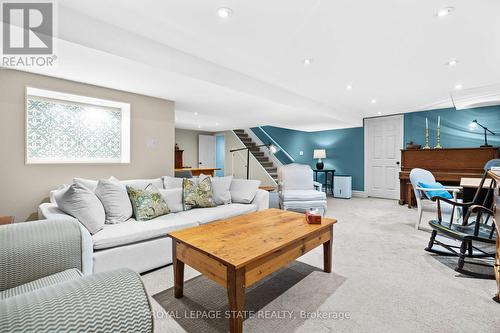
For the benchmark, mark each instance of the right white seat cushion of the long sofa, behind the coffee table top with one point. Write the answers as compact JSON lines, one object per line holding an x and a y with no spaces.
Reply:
{"x":206,"y":215}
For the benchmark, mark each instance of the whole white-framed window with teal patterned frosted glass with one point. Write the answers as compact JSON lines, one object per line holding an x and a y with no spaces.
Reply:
{"x":64,"y":128}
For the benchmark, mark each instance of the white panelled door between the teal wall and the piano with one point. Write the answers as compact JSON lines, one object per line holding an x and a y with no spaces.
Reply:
{"x":383,"y":144}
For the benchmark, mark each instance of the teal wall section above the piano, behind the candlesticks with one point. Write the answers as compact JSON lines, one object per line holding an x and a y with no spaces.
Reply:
{"x":455,"y":131}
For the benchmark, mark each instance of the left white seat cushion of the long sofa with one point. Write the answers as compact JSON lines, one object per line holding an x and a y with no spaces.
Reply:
{"x":133,"y":231}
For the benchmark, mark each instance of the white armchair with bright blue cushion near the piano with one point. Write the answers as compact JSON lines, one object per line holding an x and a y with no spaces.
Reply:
{"x":423,"y":203}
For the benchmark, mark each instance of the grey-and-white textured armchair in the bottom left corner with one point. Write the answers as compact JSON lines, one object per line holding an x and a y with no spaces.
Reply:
{"x":42,"y":288}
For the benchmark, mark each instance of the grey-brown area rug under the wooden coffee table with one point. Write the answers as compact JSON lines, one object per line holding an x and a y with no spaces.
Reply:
{"x":279,"y":303}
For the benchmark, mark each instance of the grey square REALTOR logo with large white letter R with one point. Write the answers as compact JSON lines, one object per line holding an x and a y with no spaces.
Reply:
{"x":28,"y":29}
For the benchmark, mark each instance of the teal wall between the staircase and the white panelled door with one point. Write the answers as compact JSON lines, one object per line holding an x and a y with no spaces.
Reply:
{"x":344,"y":149}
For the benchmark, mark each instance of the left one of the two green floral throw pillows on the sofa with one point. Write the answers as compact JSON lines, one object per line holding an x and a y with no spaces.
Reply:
{"x":147,"y":203}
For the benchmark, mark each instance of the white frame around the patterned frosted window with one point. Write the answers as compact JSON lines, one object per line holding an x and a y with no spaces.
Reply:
{"x":71,"y":98}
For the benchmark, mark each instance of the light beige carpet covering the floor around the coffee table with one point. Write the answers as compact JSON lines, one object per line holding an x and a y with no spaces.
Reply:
{"x":382,"y":281}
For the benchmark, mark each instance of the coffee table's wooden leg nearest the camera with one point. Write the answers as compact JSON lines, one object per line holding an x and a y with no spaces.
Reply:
{"x":236,"y":295}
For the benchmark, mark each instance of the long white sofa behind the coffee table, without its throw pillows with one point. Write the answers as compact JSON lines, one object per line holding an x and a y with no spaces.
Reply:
{"x":144,"y":245}
